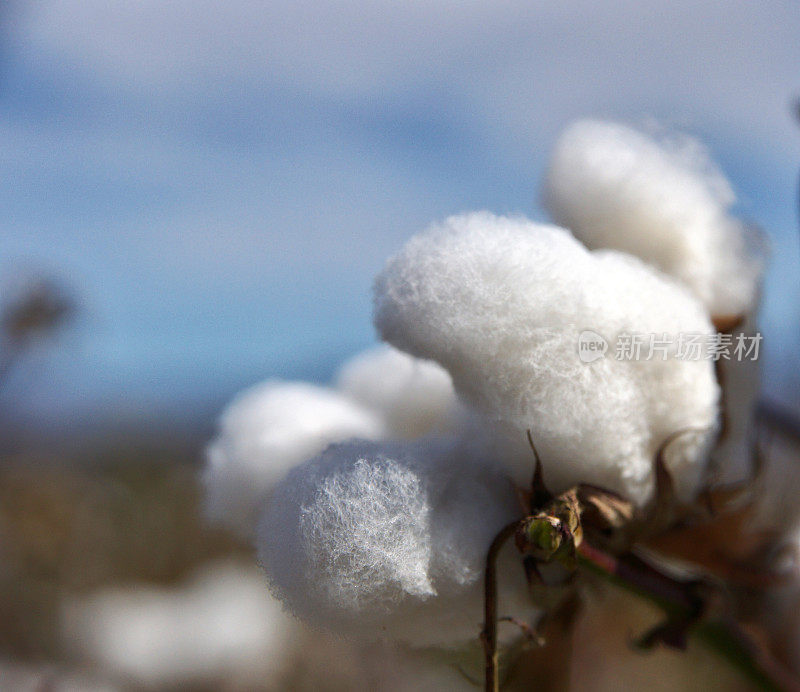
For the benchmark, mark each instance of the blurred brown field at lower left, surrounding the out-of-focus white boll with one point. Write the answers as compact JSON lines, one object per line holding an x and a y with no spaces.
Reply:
{"x":128,"y":516}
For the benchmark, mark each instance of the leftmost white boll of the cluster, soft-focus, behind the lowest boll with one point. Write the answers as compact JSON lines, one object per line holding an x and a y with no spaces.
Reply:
{"x":266,"y":431}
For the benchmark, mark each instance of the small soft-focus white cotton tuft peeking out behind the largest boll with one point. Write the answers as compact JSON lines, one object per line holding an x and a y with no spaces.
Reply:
{"x":414,"y":397}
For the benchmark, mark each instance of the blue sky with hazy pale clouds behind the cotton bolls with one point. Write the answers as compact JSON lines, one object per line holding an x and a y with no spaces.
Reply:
{"x":220,"y":183}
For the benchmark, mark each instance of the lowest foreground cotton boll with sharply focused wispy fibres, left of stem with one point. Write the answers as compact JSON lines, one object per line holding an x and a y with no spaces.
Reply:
{"x":388,"y":540}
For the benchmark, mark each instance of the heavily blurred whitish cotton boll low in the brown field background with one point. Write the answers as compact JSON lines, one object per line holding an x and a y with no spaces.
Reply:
{"x":223,"y":620}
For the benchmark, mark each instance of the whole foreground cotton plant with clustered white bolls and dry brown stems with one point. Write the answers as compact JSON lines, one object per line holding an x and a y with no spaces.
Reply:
{"x":517,"y":448}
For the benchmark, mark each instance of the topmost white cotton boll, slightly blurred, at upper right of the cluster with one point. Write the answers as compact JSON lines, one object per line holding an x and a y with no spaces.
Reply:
{"x":663,"y":201}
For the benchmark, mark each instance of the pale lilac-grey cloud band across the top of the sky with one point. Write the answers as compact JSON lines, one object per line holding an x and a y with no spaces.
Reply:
{"x":524,"y":66}
